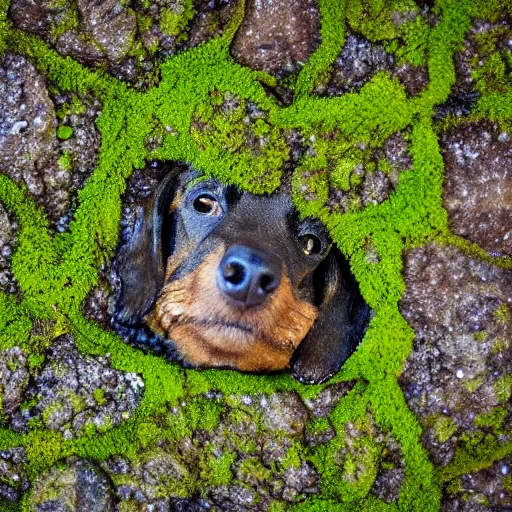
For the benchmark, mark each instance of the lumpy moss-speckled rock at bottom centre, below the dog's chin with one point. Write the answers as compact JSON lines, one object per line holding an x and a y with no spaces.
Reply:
{"x":249,"y":459}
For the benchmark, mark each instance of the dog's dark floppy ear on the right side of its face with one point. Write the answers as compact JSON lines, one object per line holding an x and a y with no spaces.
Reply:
{"x":340,"y":326}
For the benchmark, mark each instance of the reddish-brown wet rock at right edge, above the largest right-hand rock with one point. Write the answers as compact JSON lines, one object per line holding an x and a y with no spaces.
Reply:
{"x":478,"y":185}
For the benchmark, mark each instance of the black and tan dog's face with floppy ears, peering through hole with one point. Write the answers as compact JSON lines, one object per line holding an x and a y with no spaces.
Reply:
{"x":237,"y":280}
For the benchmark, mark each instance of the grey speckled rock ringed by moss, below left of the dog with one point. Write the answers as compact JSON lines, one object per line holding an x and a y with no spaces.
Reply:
{"x":75,"y":393}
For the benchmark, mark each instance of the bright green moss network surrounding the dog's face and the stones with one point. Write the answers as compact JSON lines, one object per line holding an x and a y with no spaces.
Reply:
{"x":56,"y":273}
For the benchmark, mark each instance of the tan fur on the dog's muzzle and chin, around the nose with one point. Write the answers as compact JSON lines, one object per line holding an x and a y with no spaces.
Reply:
{"x":210,"y":332}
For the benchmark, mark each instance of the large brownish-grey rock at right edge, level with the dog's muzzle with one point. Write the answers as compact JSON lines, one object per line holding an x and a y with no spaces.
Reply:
{"x":455,"y":379}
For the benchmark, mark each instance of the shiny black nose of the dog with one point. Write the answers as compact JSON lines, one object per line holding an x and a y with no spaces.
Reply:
{"x":248,"y":276}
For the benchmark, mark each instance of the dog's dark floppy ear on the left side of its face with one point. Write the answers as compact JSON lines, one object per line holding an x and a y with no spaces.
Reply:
{"x":141,"y":265}
